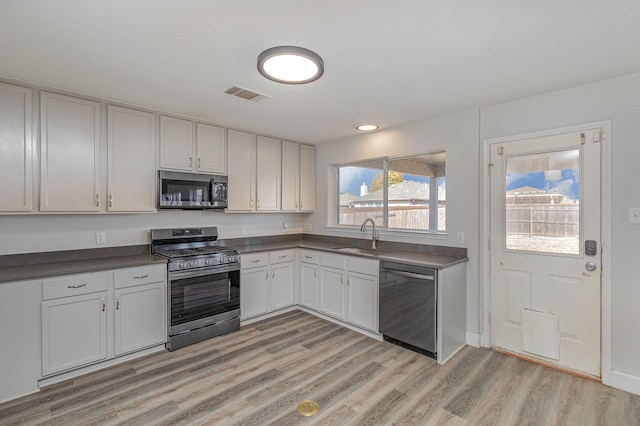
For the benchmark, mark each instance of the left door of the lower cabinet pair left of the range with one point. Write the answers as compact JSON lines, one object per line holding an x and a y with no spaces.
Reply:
{"x":74,"y":332}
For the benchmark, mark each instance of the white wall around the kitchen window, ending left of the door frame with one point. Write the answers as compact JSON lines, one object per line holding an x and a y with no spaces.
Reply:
{"x":457,"y":133}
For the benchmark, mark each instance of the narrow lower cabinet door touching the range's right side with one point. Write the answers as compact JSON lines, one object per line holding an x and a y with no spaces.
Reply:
{"x":254,"y":292}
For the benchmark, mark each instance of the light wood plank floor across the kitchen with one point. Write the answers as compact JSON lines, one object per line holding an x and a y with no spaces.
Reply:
{"x":258,"y":375}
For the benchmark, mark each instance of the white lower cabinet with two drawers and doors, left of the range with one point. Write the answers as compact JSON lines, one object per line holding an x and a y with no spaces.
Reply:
{"x":88,"y":318}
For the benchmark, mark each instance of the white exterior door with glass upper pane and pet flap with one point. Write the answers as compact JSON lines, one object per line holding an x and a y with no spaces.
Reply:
{"x":545,"y":249}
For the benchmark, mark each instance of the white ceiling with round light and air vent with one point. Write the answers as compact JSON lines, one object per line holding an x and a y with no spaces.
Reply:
{"x":387,"y":62}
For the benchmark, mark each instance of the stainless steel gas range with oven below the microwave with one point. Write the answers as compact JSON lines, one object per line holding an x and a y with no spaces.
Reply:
{"x":203,"y":284}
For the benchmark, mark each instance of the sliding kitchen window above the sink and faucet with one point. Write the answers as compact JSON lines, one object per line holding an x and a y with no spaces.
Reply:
{"x":405,"y":193}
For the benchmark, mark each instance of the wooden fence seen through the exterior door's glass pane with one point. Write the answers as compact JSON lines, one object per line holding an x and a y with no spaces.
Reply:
{"x":543,"y":220}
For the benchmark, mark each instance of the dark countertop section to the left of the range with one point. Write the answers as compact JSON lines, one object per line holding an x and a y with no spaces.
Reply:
{"x":43,"y":270}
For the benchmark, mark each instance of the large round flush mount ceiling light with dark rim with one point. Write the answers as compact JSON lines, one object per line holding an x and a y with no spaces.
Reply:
{"x":290,"y":65}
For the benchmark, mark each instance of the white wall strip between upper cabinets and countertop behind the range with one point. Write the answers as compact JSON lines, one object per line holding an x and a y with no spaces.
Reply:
{"x":35,"y":233}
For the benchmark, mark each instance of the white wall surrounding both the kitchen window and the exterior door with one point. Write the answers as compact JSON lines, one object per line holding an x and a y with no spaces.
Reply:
{"x":462,"y":133}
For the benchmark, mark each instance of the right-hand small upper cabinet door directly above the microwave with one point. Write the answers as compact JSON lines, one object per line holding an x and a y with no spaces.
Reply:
{"x":211,"y":149}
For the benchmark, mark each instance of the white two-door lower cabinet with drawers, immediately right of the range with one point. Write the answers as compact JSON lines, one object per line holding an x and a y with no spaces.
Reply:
{"x":266,"y":283}
